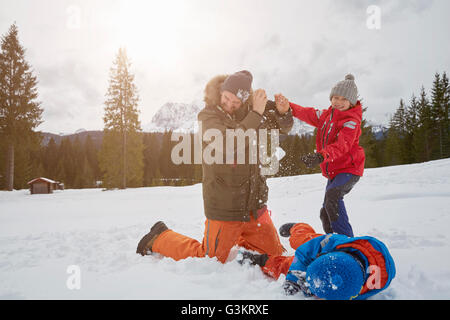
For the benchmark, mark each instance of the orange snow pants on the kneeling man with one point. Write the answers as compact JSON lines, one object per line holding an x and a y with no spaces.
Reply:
{"x":219,"y":237}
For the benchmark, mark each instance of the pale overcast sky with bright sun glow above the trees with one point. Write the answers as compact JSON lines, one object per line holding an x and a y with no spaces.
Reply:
{"x":298,"y":48}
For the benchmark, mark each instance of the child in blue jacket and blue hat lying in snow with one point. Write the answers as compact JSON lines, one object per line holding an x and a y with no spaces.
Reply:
{"x":332,"y":266}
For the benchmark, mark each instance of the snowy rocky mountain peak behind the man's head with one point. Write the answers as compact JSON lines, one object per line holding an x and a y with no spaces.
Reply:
{"x":183,"y":117}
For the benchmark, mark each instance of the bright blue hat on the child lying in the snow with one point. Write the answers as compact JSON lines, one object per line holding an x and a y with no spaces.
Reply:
{"x":335,"y":276}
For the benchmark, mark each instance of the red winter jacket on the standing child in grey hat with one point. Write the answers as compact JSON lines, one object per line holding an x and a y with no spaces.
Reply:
{"x":337,"y":139}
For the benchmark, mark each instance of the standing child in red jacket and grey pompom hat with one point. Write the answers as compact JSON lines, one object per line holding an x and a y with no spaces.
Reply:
{"x":338,"y":152}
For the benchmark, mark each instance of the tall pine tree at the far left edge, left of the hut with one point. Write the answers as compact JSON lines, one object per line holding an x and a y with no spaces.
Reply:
{"x":20,"y":112}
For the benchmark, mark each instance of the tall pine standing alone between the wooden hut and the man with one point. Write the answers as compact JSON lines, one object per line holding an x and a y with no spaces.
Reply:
{"x":121,"y":155}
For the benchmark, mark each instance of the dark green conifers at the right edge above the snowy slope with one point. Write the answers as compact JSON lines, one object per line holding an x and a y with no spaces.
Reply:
{"x":419,"y":131}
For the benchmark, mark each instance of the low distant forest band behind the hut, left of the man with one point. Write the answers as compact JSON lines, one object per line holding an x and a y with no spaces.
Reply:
{"x":75,"y":161}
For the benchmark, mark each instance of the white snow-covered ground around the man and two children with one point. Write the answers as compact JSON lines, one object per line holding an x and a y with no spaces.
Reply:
{"x":407,"y":207}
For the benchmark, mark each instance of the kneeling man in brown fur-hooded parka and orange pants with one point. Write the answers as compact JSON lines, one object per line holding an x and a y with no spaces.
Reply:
{"x":234,"y":195}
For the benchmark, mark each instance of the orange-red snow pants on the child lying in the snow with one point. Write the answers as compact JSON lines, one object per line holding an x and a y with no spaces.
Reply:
{"x":300,"y":233}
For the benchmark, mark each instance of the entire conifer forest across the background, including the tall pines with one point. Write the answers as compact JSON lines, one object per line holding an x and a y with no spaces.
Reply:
{"x":127,"y":157}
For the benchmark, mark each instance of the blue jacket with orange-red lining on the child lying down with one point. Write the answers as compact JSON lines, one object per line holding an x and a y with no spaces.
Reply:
{"x":379,"y":265}
